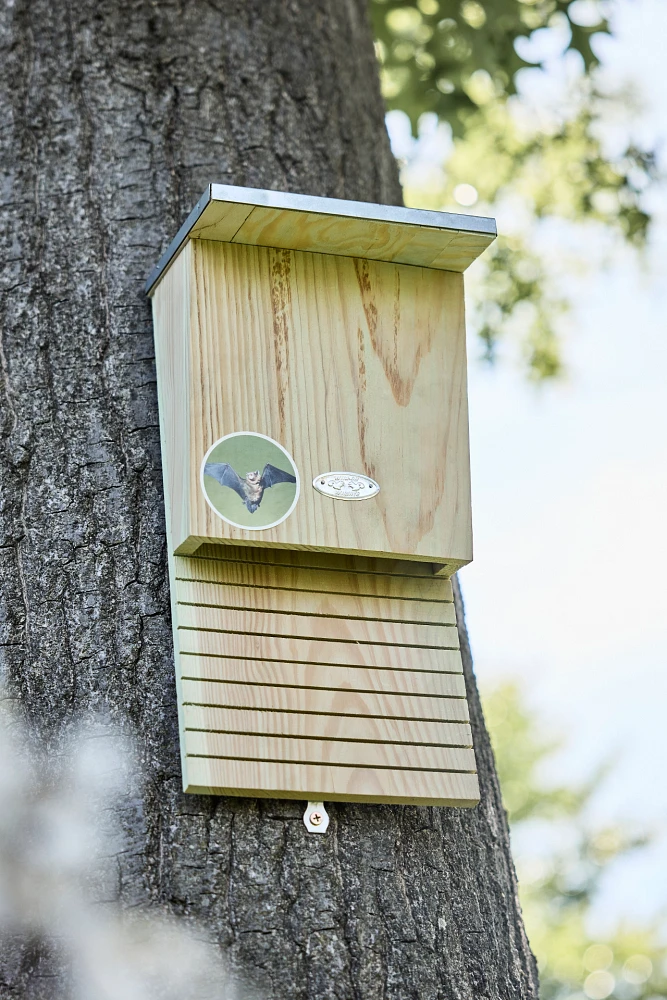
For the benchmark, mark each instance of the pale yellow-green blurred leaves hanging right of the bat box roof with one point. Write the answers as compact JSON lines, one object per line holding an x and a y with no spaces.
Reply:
{"x":548,"y":171}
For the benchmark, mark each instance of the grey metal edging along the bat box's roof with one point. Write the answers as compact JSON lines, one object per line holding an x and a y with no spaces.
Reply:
{"x":373,"y":212}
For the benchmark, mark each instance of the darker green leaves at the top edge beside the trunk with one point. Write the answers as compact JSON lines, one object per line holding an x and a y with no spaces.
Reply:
{"x":429,"y":51}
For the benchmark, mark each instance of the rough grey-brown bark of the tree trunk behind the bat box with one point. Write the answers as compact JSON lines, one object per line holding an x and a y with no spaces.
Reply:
{"x":114,"y":115}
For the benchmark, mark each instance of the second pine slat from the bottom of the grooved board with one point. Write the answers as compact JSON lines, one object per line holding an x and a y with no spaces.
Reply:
{"x":336,"y":752}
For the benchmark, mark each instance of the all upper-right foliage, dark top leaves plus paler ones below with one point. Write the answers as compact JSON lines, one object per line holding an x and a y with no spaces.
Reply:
{"x":458,"y":59}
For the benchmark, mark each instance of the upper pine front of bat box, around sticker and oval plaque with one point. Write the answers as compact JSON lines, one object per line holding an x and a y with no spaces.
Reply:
{"x":347,"y":362}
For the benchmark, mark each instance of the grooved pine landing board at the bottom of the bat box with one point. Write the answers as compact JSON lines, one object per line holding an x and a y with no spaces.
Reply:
{"x":285,"y":691}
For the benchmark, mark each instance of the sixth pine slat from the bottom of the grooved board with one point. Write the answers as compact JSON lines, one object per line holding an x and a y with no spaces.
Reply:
{"x":263,"y":647}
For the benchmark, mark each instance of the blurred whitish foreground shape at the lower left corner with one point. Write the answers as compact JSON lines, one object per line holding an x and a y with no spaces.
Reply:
{"x":59,"y":835}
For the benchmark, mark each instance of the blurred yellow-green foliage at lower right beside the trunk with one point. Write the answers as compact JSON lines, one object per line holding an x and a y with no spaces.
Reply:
{"x":557,"y":890}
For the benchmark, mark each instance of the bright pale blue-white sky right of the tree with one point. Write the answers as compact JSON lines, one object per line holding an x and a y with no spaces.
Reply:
{"x":567,"y":589}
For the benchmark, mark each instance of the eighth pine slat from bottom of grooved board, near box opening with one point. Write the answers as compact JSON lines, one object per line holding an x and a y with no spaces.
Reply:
{"x":314,"y":603}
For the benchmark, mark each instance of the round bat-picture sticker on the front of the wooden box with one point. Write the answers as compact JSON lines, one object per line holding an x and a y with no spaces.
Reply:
{"x":250,"y":481}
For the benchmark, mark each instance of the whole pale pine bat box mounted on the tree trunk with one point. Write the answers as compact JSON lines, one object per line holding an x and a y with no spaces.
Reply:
{"x":316,"y":645}
